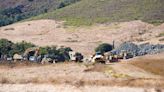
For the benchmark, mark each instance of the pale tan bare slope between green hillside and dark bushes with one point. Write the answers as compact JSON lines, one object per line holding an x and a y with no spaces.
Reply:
{"x":82,"y":39}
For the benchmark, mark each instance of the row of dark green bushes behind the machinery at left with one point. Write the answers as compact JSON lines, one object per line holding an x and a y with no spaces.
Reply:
{"x":8,"y":49}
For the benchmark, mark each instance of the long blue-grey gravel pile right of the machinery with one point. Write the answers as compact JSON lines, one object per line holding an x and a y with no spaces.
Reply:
{"x":139,"y":50}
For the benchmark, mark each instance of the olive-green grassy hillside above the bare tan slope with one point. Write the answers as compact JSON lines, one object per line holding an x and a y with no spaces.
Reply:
{"x":87,"y":12}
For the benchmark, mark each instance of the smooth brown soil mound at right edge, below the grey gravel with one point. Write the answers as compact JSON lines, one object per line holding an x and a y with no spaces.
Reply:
{"x":152,"y":63}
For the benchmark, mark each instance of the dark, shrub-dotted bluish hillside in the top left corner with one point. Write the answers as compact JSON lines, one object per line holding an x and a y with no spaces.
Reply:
{"x":15,"y":10}
